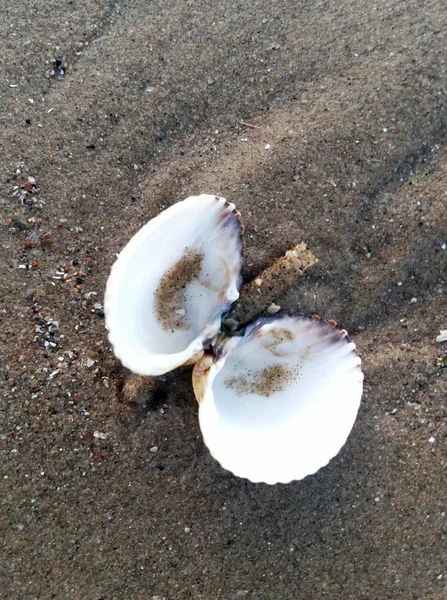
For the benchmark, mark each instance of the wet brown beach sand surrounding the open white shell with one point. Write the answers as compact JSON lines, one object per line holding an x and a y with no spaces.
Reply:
{"x":351,"y":98}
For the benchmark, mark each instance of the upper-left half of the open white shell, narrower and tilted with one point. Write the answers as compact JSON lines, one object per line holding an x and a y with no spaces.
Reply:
{"x":171,"y":283}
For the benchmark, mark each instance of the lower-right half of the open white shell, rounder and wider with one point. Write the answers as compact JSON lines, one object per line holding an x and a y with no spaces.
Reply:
{"x":280,"y":402}
